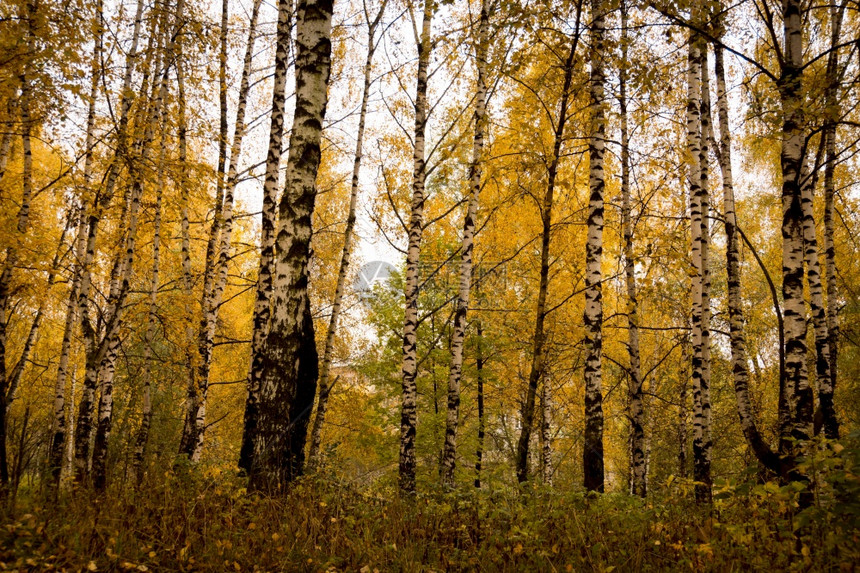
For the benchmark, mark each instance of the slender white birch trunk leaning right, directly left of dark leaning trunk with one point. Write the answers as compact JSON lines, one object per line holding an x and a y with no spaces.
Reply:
{"x":458,"y":337}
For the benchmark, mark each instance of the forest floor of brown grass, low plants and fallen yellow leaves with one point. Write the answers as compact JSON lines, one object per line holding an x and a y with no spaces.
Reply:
{"x":209,"y":523}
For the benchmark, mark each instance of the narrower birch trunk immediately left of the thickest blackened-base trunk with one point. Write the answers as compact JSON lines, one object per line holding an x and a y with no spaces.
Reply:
{"x":262,"y":309}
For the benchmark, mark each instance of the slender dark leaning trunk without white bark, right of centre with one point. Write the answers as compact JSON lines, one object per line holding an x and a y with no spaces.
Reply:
{"x":539,"y":338}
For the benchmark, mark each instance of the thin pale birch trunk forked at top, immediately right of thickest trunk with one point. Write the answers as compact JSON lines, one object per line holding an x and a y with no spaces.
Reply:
{"x":325,"y":366}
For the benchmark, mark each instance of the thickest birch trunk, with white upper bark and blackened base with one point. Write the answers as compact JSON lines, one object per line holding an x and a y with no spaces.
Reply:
{"x":290,"y":368}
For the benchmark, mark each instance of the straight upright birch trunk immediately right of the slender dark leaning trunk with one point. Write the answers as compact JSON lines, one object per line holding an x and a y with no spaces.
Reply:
{"x":592,"y":461}
